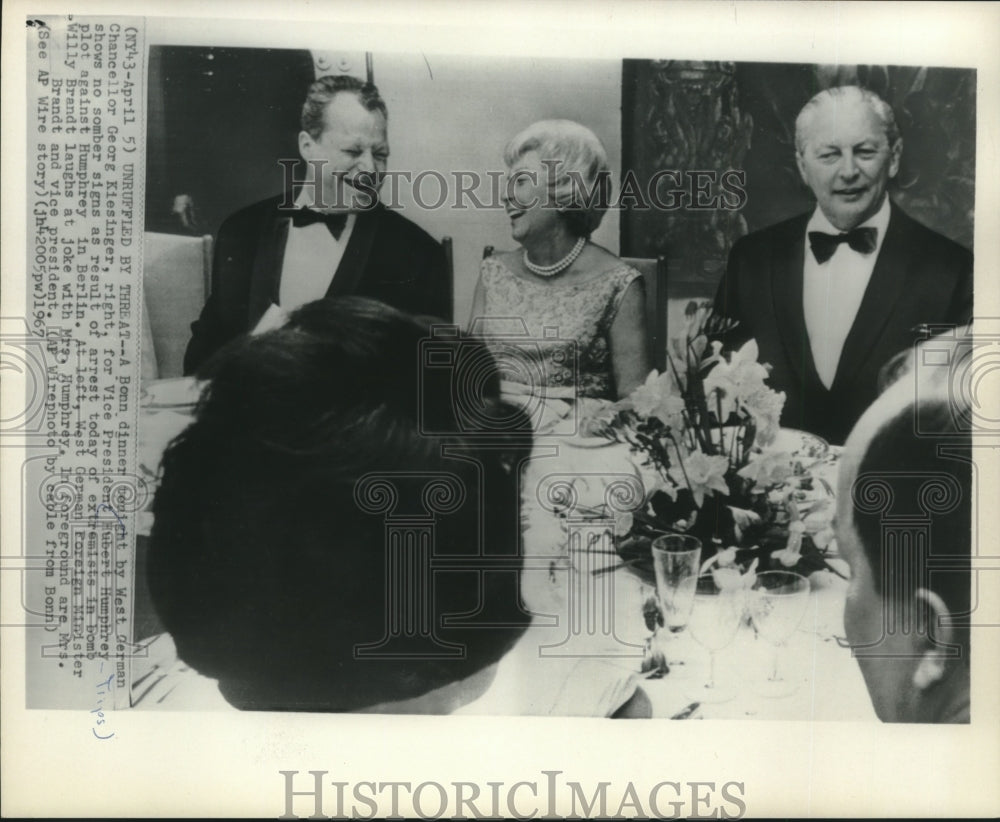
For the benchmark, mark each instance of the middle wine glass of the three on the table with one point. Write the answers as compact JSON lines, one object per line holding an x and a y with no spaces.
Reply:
{"x":716,"y":613}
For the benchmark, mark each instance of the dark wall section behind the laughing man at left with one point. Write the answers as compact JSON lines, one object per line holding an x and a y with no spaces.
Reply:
{"x":218,"y":120}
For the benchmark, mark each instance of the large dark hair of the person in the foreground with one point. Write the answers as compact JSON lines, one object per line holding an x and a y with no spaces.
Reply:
{"x":268,"y":554}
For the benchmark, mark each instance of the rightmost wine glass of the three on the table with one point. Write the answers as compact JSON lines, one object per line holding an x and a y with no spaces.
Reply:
{"x":777,"y":603}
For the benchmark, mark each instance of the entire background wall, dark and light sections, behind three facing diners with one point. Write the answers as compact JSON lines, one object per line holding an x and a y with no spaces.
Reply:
{"x":218,"y":119}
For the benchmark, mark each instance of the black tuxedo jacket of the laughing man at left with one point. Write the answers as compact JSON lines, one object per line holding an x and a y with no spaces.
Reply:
{"x":387,"y":258}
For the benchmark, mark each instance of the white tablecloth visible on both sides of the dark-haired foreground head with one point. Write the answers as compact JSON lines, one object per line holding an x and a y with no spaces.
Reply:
{"x":582,"y":654}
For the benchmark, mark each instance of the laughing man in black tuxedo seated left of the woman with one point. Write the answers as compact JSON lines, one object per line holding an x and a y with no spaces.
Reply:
{"x":335,"y":239}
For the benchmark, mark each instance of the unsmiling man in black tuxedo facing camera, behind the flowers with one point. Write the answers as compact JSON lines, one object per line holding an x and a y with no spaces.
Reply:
{"x":831,"y":296}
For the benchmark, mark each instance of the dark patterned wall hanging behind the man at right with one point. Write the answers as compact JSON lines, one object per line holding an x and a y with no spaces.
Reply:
{"x":720,"y":116}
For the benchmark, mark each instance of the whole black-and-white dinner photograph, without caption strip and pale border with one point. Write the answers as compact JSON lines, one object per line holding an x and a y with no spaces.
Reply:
{"x":738,"y":474}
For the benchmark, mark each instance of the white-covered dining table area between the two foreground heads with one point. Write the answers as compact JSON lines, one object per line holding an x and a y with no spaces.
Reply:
{"x":589,"y":606}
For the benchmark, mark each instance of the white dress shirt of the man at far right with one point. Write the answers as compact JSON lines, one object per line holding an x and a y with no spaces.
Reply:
{"x":832,"y":292}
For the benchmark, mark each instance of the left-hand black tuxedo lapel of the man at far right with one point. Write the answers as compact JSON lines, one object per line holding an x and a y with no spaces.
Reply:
{"x":786,"y":294}
